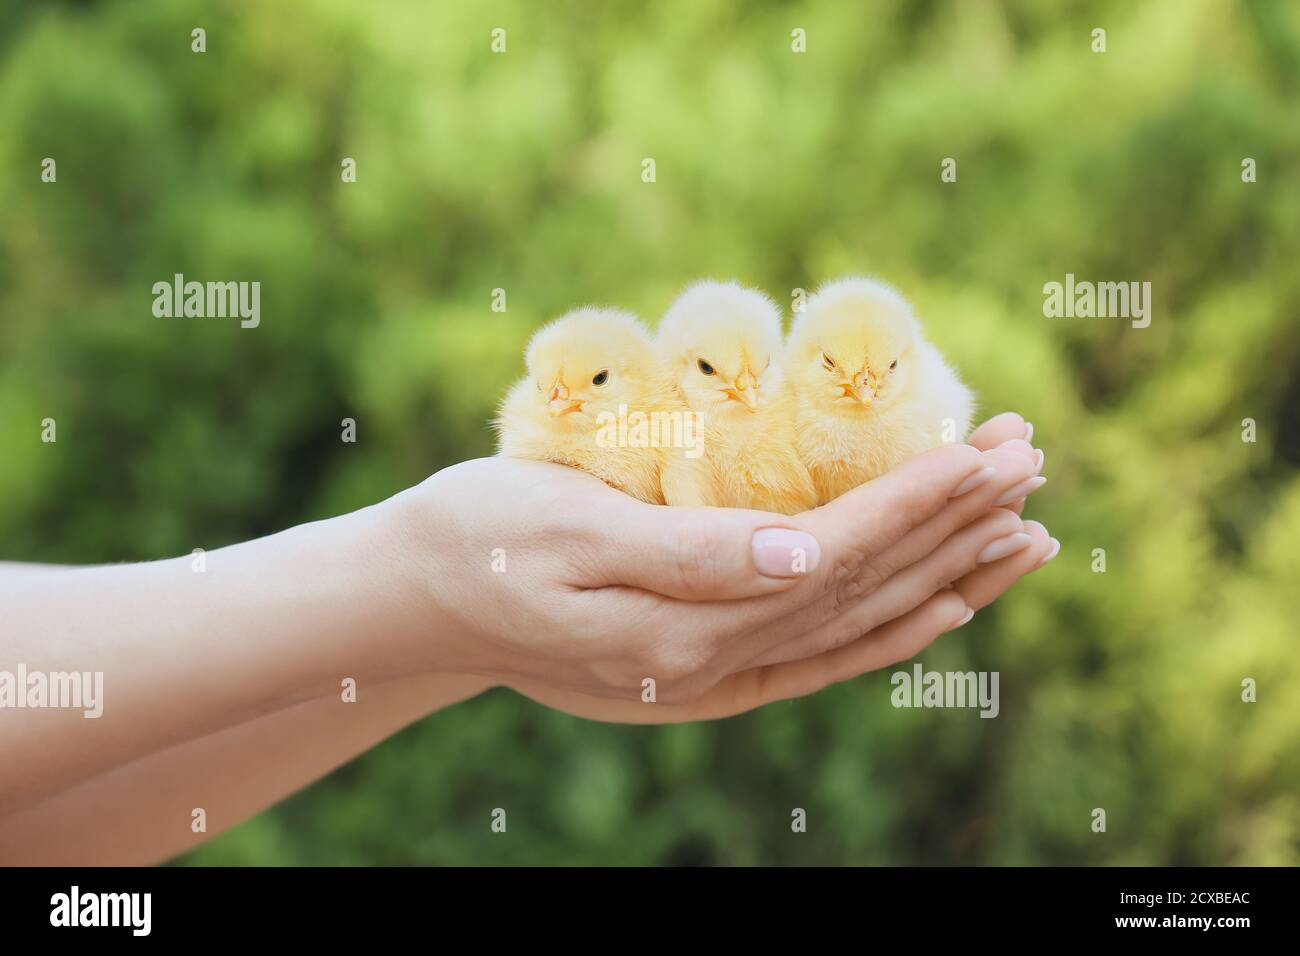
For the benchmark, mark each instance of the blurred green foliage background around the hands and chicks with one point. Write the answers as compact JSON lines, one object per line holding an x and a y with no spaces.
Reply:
{"x":523,"y":171}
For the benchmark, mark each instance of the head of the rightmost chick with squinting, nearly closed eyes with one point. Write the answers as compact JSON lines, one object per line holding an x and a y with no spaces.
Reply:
{"x":853,"y":349}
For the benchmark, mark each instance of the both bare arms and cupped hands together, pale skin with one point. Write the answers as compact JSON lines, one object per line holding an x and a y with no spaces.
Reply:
{"x":223,"y":690}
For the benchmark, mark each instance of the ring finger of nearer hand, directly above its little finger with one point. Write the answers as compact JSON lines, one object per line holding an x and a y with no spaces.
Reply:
{"x":987,"y":540}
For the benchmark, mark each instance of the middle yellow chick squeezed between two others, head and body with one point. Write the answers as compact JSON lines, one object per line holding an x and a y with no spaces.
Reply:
{"x":722,"y":345}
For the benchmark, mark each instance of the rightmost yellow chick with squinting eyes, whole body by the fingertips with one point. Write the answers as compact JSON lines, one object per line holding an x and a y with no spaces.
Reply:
{"x":870,"y":390}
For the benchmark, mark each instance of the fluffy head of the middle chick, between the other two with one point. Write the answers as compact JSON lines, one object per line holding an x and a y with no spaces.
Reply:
{"x":723,"y":347}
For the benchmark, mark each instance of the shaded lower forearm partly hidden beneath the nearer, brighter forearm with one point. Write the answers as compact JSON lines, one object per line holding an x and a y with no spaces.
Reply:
{"x":144,"y":812}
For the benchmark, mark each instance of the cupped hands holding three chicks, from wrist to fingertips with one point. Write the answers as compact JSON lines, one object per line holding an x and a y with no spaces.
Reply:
{"x":584,"y":599}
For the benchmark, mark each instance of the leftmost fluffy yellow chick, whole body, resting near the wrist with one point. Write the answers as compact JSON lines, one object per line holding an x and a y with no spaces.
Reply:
{"x":597,"y":399}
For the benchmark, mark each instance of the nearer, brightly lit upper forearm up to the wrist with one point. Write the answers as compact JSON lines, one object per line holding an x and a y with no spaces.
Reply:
{"x":185,"y":654}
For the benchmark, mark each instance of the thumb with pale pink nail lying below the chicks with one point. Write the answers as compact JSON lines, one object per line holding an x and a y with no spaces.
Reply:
{"x":703,"y":553}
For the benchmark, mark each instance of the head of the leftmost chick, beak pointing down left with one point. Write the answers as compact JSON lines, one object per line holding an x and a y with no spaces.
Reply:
{"x":590,"y":362}
